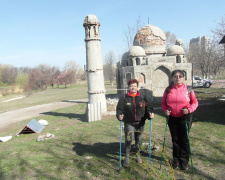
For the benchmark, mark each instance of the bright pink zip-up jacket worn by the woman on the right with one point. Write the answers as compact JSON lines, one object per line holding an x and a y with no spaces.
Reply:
{"x":179,"y":98}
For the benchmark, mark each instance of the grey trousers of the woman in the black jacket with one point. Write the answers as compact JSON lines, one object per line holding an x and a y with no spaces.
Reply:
{"x":133,"y":130}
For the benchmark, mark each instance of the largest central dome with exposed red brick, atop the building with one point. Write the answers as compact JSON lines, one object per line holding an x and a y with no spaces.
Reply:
{"x":152,"y":39}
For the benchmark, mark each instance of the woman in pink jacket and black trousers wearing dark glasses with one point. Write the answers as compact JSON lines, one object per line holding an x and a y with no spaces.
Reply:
{"x":178,"y":104}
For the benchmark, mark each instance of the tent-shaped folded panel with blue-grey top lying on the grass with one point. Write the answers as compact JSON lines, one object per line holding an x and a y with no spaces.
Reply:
{"x":32,"y":127}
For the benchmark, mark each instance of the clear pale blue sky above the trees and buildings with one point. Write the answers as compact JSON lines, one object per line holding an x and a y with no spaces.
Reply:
{"x":34,"y":32}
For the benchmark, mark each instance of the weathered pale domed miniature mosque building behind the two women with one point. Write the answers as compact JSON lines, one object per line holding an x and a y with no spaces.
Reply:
{"x":149,"y":63}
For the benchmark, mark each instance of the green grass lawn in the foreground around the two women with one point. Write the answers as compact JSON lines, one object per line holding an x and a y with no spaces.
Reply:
{"x":66,"y":155}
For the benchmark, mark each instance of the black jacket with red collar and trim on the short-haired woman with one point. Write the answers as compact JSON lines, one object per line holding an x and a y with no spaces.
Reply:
{"x":134,"y":109}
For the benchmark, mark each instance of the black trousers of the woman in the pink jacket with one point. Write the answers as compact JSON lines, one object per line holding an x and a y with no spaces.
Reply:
{"x":178,"y":133}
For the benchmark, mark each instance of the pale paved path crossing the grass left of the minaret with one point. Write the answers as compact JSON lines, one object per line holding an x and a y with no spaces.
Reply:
{"x":14,"y":116}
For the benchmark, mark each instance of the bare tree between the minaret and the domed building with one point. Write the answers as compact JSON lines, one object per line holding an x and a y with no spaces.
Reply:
{"x":109,"y":67}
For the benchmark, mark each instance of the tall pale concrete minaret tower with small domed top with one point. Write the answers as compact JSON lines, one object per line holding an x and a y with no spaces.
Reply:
{"x":94,"y":67}
